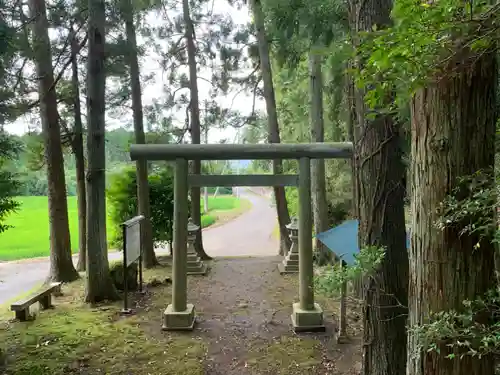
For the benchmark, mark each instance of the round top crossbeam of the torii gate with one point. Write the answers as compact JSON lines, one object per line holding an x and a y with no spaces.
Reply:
{"x":341,"y":150}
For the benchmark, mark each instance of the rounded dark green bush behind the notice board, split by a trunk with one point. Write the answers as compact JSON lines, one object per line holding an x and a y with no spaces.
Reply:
{"x":122,"y":197}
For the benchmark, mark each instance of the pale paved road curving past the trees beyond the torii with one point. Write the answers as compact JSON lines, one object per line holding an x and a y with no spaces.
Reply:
{"x":249,"y":234}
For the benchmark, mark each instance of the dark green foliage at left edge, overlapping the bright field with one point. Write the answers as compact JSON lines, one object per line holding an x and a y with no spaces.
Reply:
{"x":9,"y":149}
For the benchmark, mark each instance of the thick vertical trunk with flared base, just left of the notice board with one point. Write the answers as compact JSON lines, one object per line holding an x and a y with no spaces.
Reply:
{"x":99,"y":284}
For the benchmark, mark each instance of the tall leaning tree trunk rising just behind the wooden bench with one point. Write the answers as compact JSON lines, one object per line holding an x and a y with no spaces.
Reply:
{"x":61,"y":263}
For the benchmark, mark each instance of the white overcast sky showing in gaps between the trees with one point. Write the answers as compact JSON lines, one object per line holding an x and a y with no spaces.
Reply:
{"x":154,"y":90}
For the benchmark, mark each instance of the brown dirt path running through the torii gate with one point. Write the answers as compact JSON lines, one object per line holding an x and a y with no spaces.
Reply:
{"x":244,"y":308}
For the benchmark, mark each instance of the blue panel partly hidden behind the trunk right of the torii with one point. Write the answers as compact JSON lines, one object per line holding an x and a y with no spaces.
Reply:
{"x":343,"y":240}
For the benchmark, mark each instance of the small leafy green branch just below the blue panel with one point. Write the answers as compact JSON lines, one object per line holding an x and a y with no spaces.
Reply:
{"x":330,"y":278}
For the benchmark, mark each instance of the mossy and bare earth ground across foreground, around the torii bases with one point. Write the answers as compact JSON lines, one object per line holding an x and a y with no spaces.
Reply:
{"x":243,"y":308}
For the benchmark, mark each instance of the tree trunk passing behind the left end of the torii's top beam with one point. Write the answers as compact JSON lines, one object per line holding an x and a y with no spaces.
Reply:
{"x":148,"y":252}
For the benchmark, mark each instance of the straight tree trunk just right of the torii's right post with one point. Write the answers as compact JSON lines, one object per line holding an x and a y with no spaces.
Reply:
{"x":320,"y":204}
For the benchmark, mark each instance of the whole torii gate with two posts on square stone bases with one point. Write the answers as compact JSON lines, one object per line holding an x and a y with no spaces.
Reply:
{"x":307,"y":316}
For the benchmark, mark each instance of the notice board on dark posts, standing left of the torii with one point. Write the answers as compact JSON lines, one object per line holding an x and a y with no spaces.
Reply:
{"x":132,"y":251}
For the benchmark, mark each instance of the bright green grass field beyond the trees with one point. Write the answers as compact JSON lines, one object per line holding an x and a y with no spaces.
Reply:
{"x":30,"y":236}
